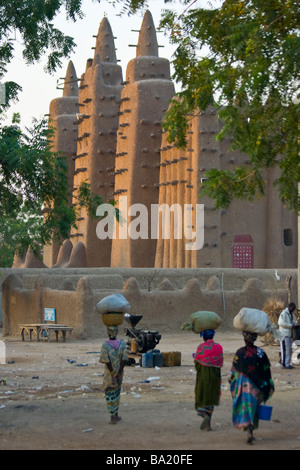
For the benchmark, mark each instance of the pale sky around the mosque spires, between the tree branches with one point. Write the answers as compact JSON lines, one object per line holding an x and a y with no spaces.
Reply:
{"x":39,"y":88}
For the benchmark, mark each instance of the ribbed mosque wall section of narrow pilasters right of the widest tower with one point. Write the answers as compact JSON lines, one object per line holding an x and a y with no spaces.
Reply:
{"x":177,"y":189}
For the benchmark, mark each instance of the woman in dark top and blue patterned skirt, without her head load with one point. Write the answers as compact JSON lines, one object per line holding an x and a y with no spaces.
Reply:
{"x":251,"y":384}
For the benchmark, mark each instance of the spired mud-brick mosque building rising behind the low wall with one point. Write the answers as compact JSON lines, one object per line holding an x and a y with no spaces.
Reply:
{"x":109,"y":129}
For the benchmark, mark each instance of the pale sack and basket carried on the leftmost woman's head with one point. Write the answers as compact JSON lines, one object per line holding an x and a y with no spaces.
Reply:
{"x":112,"y":308}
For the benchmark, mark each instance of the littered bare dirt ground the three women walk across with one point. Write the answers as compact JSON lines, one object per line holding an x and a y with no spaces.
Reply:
{"x":52,"y":400}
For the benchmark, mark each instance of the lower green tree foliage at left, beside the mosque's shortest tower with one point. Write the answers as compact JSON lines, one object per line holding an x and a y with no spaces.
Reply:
{"x":34,"y":193}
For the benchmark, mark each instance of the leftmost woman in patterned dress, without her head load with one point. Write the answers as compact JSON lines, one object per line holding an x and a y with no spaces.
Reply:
{"x":114,"y":356}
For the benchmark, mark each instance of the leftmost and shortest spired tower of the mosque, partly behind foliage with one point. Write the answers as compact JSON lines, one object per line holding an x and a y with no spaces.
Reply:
{"x":62,"y":113}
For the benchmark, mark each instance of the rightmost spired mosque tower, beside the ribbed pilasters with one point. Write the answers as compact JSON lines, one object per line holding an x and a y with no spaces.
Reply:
{"x":145,"y":98}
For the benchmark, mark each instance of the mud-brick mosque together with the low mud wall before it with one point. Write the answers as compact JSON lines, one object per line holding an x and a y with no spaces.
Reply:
{"x":110,"y":131}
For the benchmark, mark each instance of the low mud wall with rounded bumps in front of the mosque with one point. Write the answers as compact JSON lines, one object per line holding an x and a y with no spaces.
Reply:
{"x":165,"y":297}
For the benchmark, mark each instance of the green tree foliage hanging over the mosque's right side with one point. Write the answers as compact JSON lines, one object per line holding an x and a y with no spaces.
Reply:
{"x":242,"y":57}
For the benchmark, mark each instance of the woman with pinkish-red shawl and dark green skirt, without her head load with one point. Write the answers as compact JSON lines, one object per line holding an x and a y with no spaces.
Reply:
{"x":208,"y":363}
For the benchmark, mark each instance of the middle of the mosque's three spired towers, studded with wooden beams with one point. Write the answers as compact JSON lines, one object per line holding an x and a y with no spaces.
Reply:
{"x":99,"y":102}
